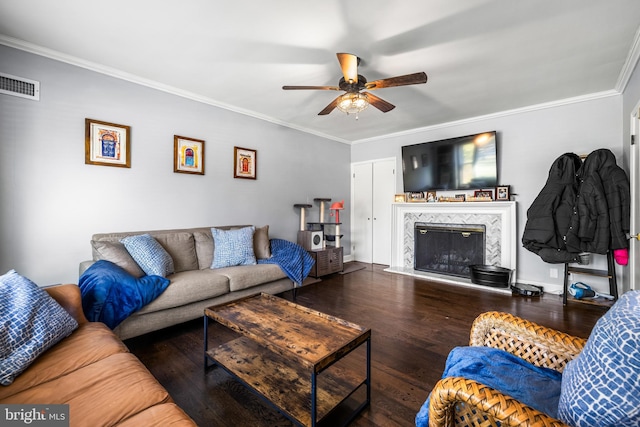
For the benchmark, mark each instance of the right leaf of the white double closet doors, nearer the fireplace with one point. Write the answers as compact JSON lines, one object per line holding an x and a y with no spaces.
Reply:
{"x":384,"y":189}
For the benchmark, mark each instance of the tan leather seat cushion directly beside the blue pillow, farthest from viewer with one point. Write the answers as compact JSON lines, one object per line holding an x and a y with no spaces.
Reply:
{"x":92,"y":341}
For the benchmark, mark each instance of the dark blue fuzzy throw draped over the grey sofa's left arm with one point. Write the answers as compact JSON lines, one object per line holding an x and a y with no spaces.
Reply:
{"x":110,"y":294}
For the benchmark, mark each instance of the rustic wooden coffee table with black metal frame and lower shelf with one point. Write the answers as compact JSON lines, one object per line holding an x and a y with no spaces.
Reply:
{"x":292,"y":356}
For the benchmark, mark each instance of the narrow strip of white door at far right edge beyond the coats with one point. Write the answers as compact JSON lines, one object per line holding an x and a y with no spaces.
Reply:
{"x":634,"y":244}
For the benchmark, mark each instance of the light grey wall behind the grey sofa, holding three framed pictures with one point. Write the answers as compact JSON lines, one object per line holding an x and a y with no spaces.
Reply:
{"x":51,"y":202}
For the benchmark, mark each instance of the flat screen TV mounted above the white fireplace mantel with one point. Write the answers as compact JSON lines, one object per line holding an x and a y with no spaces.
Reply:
{"x":462,"y":163}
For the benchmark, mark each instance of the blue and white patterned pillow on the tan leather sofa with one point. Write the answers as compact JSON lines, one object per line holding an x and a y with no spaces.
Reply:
{"x":30,"y":323}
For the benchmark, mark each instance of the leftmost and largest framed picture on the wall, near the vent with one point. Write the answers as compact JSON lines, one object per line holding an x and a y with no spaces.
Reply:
{"x":107,"y":144}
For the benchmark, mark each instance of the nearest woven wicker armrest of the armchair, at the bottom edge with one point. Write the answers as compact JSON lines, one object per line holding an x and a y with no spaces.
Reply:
{"x":460,"y":401}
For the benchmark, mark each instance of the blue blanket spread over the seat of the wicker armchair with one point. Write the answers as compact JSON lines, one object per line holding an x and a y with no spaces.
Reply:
{"x":527,"y":383}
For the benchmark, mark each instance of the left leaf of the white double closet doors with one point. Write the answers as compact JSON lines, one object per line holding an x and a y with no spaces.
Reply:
{"x":362,"y":225}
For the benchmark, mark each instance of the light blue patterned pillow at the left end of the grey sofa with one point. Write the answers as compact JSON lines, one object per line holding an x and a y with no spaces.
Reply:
{"x":152,"y":258}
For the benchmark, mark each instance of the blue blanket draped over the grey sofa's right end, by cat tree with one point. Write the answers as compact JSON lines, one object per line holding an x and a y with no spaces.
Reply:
{"x":292,"y":259}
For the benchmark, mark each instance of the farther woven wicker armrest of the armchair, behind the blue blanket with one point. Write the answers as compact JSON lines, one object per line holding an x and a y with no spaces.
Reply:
{"x":534,"y":343}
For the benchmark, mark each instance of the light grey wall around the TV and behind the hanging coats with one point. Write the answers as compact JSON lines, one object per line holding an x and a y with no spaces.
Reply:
{"x":529,"y":142}
